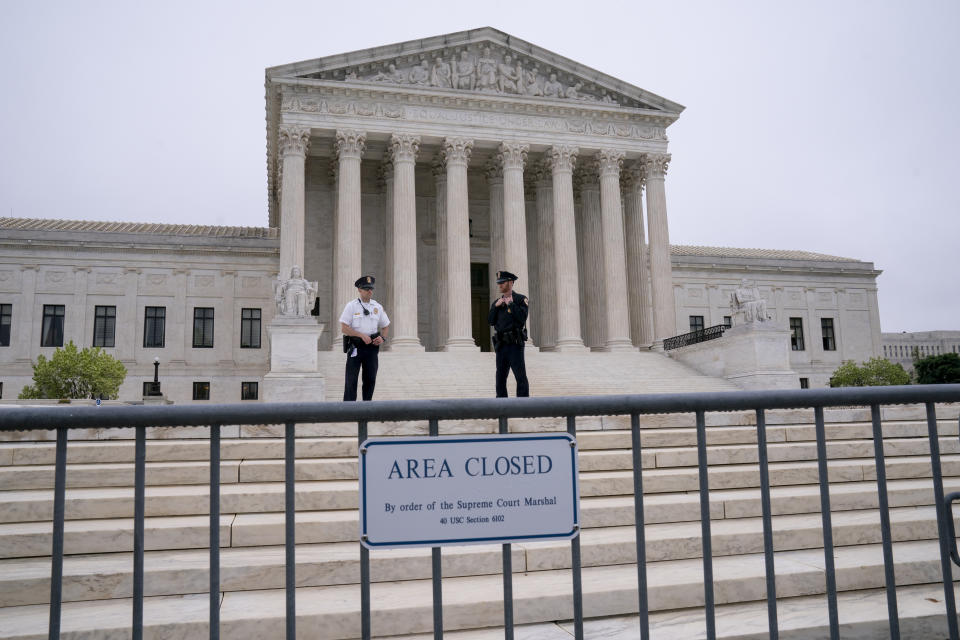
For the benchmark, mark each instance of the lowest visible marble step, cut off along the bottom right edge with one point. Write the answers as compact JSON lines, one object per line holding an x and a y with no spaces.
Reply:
{"x":862,"y":614}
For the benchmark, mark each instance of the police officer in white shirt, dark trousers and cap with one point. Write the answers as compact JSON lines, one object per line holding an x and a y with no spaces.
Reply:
{"x":364,"y":324}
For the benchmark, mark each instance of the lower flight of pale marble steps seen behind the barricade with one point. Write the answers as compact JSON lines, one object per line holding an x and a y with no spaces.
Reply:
{"x":98,"y":535}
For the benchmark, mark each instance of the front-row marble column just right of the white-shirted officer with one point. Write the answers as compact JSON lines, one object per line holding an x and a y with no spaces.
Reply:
{"x":404,"y":330}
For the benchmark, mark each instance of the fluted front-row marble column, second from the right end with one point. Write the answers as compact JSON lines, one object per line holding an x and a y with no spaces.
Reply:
{"x":614,"y":254}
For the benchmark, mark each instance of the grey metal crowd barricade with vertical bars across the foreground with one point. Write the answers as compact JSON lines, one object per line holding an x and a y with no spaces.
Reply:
{"x":62,"y":419}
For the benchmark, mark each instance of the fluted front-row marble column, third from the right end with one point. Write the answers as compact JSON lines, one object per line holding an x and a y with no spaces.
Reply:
{"x":561,"y":159}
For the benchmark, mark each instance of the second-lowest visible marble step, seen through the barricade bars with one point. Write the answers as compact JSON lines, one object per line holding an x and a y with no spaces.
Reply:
{"x":476,"y":602}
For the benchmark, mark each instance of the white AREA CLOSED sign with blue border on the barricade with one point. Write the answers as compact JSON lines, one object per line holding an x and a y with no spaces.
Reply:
{"x":468,"y":490}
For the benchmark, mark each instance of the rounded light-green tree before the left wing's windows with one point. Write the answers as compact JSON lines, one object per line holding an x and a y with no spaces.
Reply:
{"x":74,"y":373}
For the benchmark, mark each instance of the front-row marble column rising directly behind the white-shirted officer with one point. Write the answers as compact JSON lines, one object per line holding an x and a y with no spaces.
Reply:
{"x":350,"y":146}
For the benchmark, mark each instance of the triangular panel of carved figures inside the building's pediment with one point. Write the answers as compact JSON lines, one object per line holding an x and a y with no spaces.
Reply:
{"x":492,"y":69}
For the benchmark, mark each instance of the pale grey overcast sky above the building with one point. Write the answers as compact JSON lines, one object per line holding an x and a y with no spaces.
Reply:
{"x":824,"y":126}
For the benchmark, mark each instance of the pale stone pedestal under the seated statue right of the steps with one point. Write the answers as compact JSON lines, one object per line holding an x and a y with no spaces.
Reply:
{"x":753,"y":356}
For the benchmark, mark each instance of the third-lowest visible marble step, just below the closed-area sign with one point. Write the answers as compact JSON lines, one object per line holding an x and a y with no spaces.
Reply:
{"x":26,"y":581}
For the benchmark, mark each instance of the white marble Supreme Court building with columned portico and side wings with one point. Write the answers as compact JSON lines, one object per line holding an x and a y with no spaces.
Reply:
{"x":429,"y":164}
